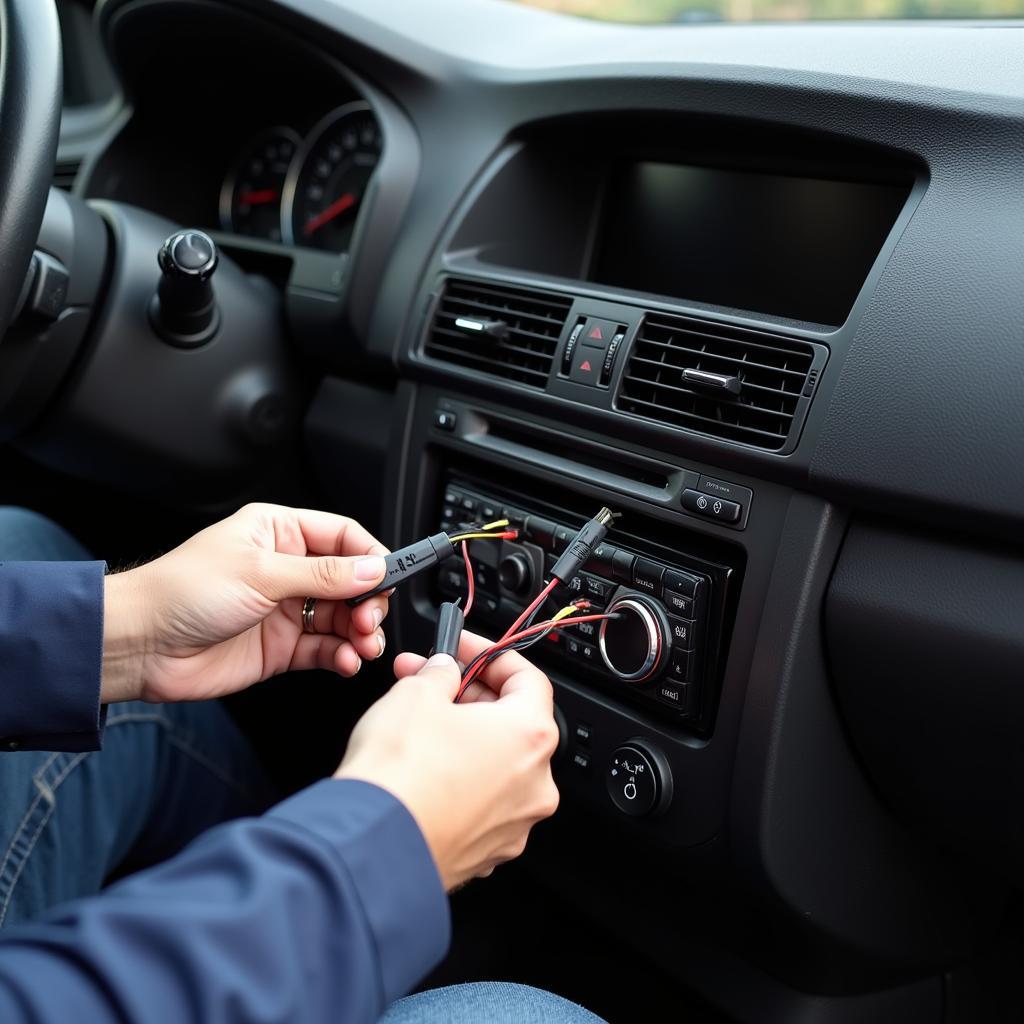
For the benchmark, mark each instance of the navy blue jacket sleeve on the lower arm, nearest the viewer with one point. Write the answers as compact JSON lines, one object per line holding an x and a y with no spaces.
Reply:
{"x":324,"y":911}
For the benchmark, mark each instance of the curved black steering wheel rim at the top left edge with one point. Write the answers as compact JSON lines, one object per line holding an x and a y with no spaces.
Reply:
{"x":31,"y":82}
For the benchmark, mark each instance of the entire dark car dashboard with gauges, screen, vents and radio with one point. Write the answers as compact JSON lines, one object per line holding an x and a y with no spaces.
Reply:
{"x":757,"y":289}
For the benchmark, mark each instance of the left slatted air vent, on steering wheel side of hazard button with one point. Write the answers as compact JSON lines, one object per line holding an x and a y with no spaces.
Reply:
{"x":507,"y":332}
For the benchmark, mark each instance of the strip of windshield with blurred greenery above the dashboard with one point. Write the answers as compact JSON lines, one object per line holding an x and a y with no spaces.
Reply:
{"x":684,"y":12}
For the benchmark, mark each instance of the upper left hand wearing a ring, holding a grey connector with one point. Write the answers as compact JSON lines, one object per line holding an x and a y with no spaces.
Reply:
{"x":225,"y":610}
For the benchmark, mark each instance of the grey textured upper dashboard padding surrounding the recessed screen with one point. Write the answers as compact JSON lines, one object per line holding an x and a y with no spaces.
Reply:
{"x":923,"y":414}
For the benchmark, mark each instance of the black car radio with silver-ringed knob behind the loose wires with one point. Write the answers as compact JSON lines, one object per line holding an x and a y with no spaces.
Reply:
{"x":661,"y":651}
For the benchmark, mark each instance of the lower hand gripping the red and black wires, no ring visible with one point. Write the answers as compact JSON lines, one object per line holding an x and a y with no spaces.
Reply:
{"x":476,"y":776}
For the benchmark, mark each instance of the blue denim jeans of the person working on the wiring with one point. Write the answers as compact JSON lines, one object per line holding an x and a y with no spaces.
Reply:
{"x":166,"y":774}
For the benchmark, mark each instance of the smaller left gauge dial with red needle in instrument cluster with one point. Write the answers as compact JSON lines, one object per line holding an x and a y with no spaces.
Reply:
{"x":250,"y":198}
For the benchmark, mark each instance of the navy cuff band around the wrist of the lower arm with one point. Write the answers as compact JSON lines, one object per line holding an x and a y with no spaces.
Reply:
{"x":393,"y":869}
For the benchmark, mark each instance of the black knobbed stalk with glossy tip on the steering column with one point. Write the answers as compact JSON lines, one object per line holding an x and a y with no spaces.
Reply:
{"x":184,"y":312}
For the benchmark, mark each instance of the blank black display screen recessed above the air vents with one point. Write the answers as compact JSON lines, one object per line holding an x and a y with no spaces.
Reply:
{"x":793,"y":247}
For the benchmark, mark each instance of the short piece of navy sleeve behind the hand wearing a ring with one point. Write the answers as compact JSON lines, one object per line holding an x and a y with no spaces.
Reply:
{"x":52,"y":648}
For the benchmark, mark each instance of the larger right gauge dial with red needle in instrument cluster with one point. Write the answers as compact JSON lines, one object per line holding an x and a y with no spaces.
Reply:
{"x":329,"y":178}
